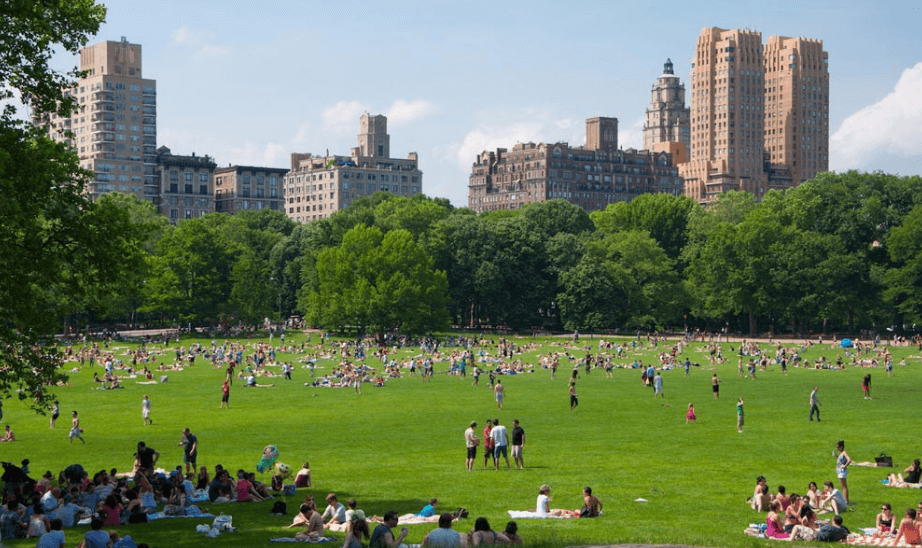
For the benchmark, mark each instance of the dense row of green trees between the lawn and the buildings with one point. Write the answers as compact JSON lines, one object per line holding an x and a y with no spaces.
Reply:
{"x":841,"y":252}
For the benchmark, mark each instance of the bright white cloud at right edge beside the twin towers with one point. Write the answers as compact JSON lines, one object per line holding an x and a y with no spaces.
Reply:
{"x":890,"y":127}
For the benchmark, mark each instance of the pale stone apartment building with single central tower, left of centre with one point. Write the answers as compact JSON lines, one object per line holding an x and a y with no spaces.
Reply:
{"x":317,"y":186}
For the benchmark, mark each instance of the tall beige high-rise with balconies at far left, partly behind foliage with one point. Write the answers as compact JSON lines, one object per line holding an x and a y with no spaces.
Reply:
{"x":115,"y":131}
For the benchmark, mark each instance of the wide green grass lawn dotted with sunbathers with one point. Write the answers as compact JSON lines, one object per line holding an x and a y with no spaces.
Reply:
{"x":397,"y":446}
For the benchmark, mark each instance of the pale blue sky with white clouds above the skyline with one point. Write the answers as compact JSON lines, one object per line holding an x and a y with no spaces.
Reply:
{"x":249,"y":83}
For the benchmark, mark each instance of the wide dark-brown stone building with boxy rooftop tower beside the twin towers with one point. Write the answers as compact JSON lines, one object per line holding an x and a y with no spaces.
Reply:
{"x":591,"y":176}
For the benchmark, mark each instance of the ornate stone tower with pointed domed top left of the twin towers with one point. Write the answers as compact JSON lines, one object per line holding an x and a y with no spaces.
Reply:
{"x":666,"y":127}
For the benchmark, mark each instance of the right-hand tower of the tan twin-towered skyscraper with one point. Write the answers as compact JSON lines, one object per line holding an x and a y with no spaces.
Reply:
{"x":797,"y":107}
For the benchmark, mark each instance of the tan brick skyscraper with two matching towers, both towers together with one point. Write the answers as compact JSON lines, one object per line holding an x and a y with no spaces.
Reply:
{"x":753,"y":110}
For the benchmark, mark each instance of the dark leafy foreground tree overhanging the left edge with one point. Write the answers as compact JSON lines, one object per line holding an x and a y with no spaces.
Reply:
{"x":59,"y":250}
